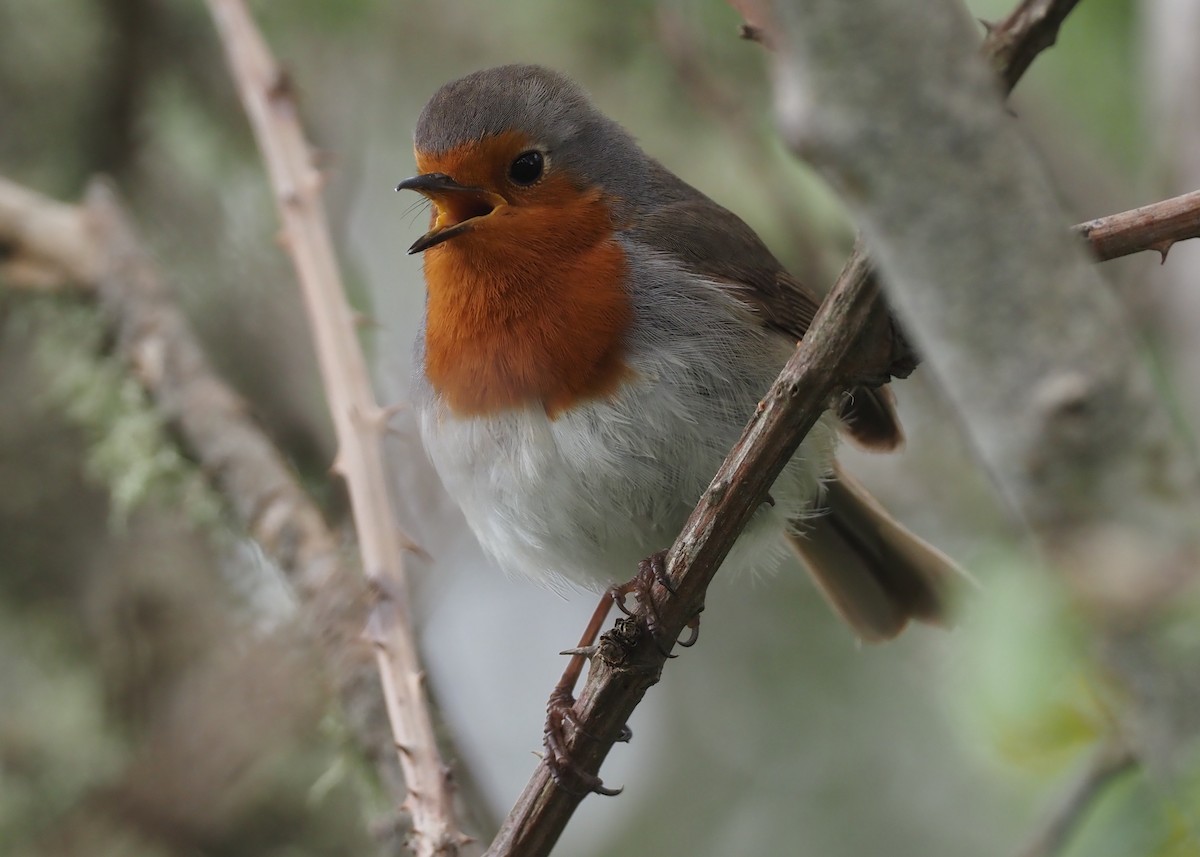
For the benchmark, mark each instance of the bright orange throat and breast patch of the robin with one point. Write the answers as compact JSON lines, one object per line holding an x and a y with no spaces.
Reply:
{"x":530,"y":308}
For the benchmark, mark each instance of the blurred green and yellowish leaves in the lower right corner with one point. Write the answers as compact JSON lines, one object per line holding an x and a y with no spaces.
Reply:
{"x":1035,"y":698}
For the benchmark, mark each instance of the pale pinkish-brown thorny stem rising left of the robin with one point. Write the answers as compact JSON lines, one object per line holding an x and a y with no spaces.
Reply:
{"x":358,"y":421}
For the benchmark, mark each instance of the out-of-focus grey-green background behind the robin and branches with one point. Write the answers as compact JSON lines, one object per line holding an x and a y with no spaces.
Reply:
{"x":152,"y":699}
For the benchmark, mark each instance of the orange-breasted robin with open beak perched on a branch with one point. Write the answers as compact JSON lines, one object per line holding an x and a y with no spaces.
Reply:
{"x":597,"y":334}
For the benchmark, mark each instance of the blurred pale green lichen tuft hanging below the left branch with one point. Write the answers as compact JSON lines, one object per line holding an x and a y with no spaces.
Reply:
{"x":130,"y":451}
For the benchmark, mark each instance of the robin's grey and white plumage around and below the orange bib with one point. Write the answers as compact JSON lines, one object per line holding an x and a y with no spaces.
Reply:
{"x":584,"y":496}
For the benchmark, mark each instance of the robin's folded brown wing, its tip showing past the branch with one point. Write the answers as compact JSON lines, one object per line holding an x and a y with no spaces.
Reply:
{"x":717,"y":244}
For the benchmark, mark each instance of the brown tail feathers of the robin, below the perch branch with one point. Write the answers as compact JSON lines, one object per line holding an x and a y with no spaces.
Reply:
{"x":875,"y":573}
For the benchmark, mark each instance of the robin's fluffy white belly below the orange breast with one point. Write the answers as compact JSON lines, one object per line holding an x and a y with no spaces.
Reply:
{"x":586,"y":496}
